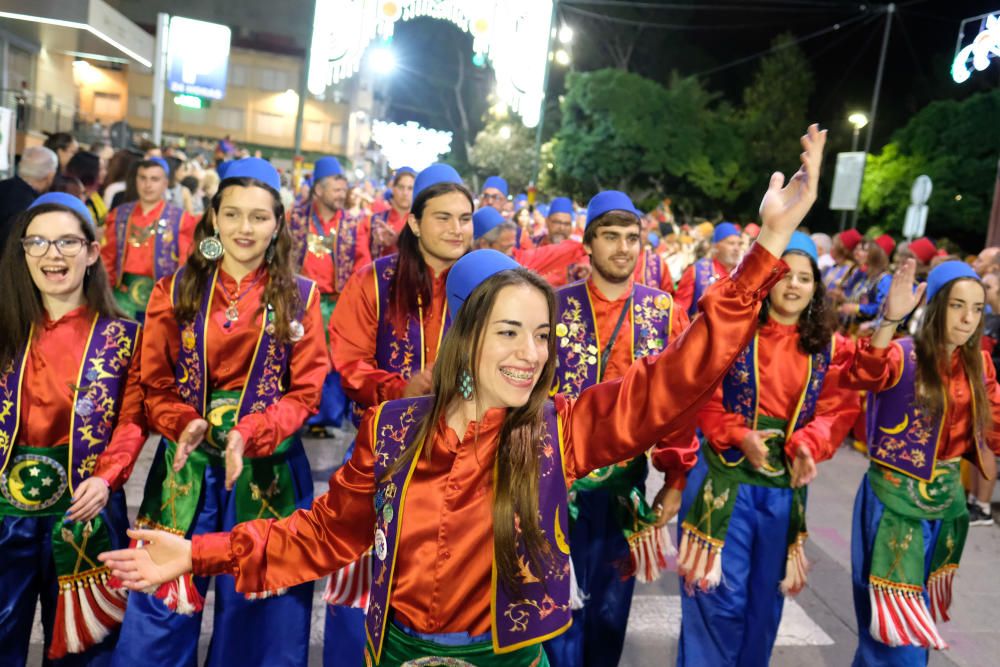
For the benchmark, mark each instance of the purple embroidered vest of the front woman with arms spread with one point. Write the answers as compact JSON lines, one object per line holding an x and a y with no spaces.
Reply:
{"x":543,"y":609}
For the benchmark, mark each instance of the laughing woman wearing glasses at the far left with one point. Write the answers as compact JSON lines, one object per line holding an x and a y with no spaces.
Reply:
{"x":71,"y":426}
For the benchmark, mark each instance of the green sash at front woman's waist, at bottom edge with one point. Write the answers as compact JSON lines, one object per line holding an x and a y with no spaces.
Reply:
{"x":401,"y":649}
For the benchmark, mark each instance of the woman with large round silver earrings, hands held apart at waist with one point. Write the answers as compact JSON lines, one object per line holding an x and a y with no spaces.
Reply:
{"x":237,"y":360}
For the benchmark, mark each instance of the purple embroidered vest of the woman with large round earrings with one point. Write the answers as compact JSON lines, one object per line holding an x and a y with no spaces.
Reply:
{"x":268,"y":367}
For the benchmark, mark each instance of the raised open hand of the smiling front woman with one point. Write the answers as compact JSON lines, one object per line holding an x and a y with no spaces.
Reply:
{"x":785,"y":206}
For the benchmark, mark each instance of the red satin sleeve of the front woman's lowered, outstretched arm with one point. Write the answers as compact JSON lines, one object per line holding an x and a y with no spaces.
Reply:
{"x":267,"y":554}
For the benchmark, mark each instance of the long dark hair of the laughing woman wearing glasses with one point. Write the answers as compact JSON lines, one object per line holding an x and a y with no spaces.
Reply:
{"x":22,"y":303}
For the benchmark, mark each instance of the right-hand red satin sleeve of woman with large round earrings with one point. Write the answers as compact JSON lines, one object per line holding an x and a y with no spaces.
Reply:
{"x":308,"y":368}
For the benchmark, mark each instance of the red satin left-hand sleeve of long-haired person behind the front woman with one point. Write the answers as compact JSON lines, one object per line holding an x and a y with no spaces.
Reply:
{"x":352,"y":344}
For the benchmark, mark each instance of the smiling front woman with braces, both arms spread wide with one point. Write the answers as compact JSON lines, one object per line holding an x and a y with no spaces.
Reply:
{"x":463,"y":494}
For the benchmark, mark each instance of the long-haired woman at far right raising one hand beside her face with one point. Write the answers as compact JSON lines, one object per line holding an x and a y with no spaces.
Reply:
{"x":933,"y":400}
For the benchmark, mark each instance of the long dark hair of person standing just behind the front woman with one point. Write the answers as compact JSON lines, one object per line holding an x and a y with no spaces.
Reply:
{"x":412,"y":283}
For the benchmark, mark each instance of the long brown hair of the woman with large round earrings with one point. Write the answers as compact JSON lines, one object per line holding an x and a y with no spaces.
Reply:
{"x":281,"y":291}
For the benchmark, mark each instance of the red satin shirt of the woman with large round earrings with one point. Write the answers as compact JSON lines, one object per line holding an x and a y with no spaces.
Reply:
{"x":229,"y":353}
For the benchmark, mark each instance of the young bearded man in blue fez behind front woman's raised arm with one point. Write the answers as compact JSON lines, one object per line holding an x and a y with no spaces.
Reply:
{"x":603,"y":324}
